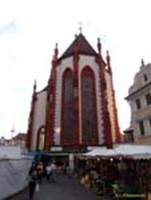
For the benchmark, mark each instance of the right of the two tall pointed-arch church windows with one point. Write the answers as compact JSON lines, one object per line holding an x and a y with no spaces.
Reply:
{"x":89,"y":121}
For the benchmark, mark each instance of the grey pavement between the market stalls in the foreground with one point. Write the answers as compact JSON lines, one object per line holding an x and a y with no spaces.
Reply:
{"x":65,"y":188}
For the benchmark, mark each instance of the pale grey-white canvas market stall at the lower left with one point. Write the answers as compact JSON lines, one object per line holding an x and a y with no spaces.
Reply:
{"x":14,"y":168}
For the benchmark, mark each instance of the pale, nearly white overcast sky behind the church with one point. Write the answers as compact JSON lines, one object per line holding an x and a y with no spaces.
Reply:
{"x":29,"y":30}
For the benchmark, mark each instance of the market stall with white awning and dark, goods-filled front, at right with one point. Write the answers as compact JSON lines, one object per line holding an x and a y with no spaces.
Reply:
{"x":125,"y":169}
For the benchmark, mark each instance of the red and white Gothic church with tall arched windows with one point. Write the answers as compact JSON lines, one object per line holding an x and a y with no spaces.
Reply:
{"x":77,"y":108}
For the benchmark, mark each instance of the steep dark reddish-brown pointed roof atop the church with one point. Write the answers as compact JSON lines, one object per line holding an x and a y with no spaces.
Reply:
{"x":83,"y":47}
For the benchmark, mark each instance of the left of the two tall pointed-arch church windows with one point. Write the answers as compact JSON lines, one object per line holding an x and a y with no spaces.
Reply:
{"x":67,"y":106}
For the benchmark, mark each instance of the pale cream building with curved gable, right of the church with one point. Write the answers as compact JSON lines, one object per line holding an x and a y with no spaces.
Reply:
{"x":139,"y":98}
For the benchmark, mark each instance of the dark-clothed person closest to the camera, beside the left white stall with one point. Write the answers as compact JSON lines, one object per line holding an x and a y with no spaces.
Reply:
{"x":33,"y":181}
